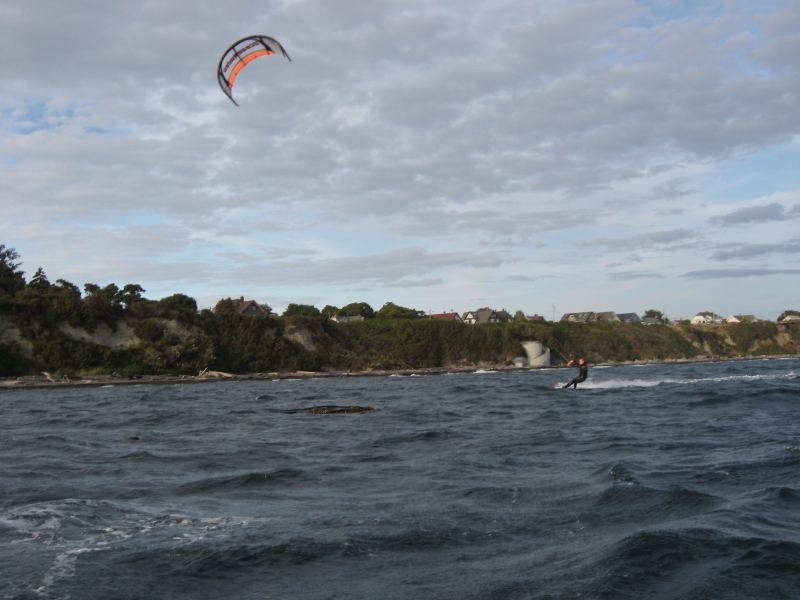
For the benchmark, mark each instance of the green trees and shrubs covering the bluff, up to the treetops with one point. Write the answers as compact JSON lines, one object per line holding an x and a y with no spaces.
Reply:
{"x":107,"y":329}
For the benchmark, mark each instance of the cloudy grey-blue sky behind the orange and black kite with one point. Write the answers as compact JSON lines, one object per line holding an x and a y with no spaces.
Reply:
{"x":549,"y":156}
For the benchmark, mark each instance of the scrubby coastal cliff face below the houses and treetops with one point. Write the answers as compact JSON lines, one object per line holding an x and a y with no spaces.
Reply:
{"x":187,"y":342}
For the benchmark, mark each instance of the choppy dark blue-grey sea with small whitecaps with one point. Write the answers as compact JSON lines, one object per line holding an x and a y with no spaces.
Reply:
{"x":658,"y":481}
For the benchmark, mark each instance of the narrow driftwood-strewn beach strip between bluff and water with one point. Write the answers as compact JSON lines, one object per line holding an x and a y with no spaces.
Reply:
{"x":28,"y":382}
